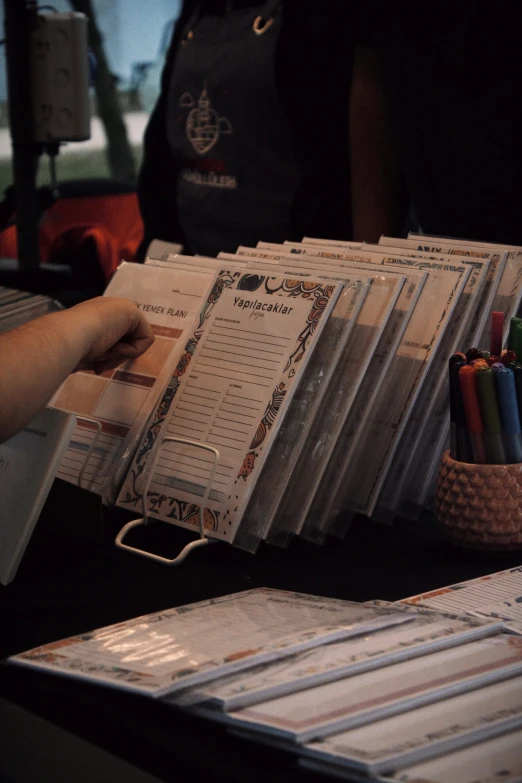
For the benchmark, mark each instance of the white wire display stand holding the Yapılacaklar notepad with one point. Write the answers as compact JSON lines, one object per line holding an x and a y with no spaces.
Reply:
{"x":202,"y":540}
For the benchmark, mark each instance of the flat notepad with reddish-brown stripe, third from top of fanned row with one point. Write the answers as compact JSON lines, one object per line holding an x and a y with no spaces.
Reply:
{"x":324,"y":710}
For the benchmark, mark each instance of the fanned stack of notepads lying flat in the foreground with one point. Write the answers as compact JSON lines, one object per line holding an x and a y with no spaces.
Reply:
{"x":358,"y":691}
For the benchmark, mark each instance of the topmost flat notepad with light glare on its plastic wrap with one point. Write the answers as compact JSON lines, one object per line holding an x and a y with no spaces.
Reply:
{"x":177,"y":648}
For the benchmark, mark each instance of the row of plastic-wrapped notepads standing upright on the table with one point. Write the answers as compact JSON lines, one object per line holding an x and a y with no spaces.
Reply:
{"x":290,"y":386}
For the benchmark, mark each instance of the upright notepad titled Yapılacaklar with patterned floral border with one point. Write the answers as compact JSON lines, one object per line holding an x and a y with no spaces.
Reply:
{"x":230,"y":389}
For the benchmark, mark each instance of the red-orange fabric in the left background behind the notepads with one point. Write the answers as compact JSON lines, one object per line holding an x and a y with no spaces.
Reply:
{"x":112,"y":222}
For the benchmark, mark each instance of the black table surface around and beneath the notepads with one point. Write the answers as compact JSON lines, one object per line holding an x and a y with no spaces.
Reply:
{"x":73,"y":579}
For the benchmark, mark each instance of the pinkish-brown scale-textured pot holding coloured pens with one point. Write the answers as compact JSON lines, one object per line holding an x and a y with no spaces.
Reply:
{"x":480,"y":506}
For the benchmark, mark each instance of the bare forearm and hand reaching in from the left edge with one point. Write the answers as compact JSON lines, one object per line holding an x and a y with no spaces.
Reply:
{"x":37,"y":357}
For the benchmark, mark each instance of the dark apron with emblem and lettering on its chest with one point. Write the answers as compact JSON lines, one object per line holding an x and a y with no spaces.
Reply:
{"x":233,"y":148}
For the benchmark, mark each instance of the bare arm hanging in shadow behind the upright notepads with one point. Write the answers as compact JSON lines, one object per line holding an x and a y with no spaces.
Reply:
{"x":379,"y":198}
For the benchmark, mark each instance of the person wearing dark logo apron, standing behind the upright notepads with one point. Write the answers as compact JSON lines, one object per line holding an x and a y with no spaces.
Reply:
{"x":249,"y":139}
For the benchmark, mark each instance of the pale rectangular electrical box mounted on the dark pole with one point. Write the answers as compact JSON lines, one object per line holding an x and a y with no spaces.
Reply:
{"x":60,"y":78}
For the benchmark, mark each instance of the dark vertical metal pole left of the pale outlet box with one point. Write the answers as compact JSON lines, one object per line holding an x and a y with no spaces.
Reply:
{"x":20,"y":18}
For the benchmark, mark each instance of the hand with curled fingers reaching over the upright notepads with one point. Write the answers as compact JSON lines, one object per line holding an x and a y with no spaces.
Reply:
{"x":115,"y":330}
